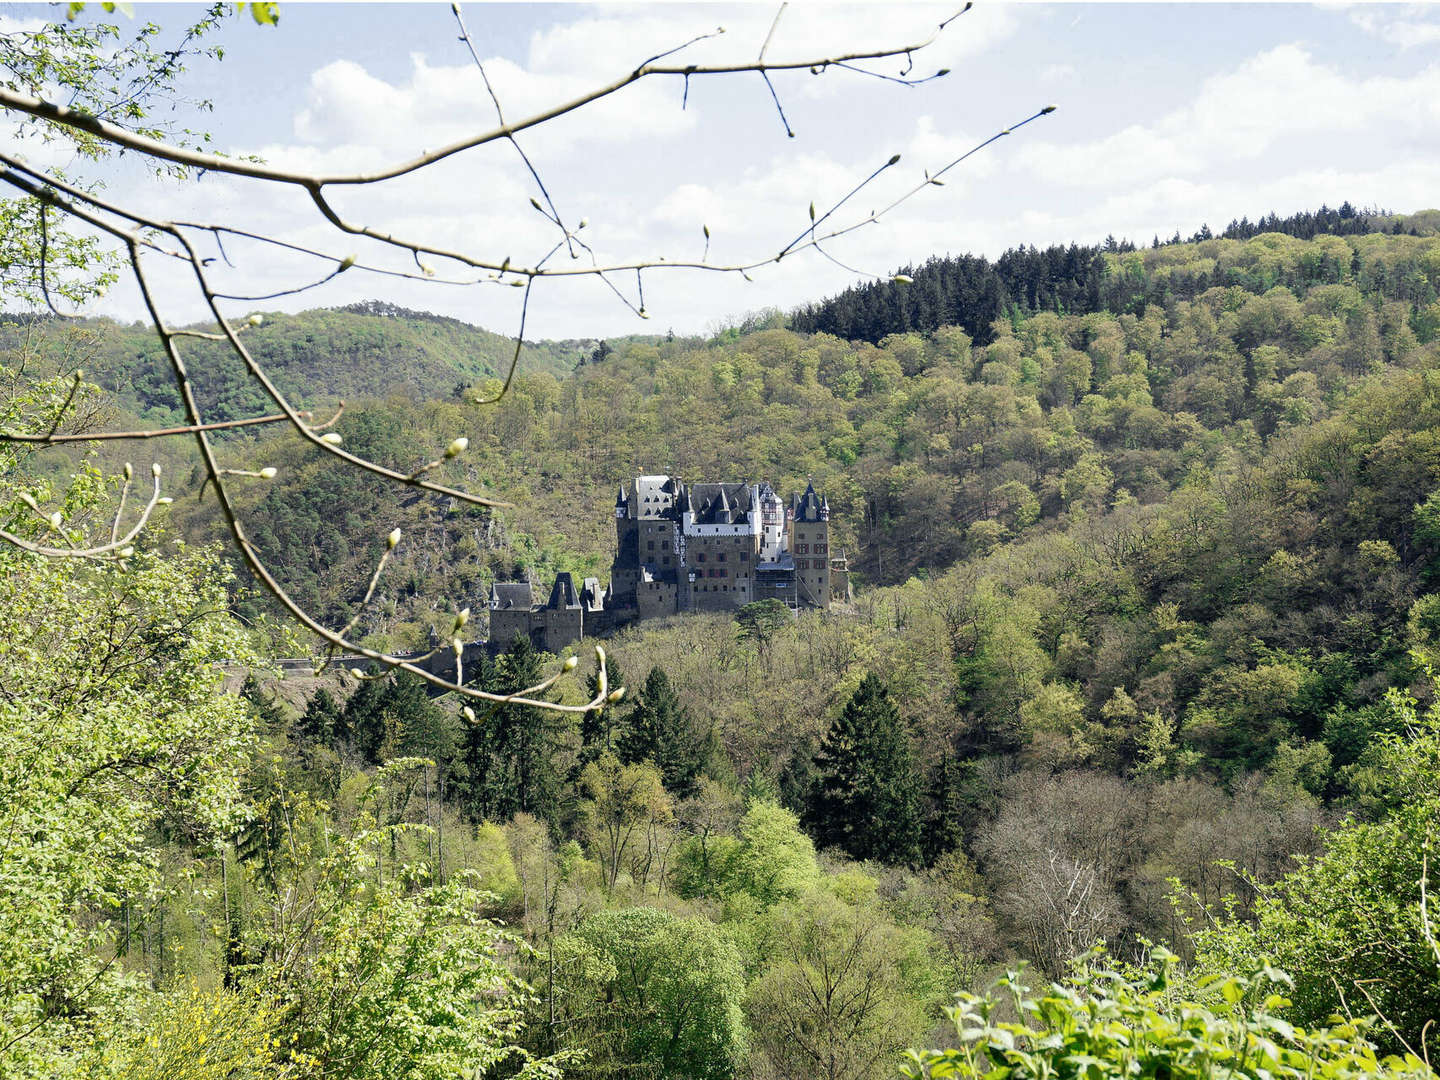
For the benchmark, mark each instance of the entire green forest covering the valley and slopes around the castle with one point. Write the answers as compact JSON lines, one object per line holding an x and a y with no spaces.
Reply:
{"x":1146,"y":613}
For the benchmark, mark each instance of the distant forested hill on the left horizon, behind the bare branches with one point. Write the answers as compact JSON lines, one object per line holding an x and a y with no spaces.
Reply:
{"x":365,"y":351}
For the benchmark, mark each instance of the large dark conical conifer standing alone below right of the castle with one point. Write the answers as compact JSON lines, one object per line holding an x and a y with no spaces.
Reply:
{"x":866,"y":797}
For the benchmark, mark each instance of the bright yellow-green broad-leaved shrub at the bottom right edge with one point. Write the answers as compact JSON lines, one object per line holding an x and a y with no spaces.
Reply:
{"x":1102,"y":1023}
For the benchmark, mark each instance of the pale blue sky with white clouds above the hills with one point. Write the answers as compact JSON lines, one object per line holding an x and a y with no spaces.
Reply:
{"x":1167,"y":117}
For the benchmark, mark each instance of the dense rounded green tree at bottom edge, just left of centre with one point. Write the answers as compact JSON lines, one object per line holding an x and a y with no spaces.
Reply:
{"x":654,"y":994}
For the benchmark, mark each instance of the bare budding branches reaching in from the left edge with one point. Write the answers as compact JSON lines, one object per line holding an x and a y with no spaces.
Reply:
{"x":146,"y":240}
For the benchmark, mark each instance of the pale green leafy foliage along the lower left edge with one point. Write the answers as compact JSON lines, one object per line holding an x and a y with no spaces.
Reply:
{"x":113,"y":734}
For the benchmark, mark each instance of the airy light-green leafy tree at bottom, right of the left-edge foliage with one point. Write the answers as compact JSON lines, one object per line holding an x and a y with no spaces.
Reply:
{"x":401,"y":977}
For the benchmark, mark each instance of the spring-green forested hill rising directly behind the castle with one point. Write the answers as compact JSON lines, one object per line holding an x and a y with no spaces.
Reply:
{"x":931,"y":449}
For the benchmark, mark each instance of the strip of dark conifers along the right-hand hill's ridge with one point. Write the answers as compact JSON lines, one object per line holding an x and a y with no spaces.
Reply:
{"x":971,"y":292}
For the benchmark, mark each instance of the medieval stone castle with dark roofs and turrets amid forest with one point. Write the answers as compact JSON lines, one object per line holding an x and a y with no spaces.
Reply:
{"x":685,"y":549}
